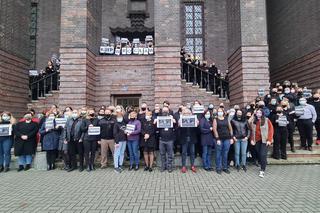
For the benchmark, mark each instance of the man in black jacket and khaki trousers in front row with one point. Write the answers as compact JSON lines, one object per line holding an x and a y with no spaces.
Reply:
{"x":106,"y":124}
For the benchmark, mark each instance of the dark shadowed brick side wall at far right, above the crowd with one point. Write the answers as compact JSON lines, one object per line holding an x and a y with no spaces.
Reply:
{"x":294,"y":39}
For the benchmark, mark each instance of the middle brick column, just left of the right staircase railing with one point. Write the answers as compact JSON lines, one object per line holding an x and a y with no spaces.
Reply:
{"x":167,"y":81}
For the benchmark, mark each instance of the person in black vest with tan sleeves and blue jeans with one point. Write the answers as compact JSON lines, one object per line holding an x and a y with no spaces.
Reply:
{"x":223,"y":132}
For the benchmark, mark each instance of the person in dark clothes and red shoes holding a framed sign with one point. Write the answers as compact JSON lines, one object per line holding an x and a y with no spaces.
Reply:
{"x":188,"y":136}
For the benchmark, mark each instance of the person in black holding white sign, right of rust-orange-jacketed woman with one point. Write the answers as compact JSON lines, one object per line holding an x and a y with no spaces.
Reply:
{"x":280,"y":122}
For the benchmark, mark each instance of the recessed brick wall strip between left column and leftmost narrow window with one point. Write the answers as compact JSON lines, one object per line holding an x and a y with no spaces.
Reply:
{"x":48,"y":32}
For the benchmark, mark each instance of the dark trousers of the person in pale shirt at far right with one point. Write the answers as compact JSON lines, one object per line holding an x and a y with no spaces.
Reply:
{"x":305,"y":127}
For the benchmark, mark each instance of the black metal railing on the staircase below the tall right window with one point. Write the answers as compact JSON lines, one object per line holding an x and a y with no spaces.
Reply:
{"x":201,"y":77}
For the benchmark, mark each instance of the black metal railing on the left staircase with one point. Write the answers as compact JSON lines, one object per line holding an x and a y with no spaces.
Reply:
{"x":43,"y":86}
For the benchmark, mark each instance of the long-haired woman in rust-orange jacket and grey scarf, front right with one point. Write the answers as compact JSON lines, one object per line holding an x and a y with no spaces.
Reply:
{"x":261,"y":136}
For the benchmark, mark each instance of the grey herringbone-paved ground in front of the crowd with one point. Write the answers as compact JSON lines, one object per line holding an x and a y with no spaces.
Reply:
{"x":284,"y":189}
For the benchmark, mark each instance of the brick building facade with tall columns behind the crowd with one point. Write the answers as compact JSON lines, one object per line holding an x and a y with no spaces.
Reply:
{"x":258,"y":41}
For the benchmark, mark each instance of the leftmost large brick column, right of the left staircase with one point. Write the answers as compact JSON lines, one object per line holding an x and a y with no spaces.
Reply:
{"x":80,"y":27}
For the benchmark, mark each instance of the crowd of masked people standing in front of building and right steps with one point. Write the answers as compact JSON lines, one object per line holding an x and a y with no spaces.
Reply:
{"x":233,"y":135}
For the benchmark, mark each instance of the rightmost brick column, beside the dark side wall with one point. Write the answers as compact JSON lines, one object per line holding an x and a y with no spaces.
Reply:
{"x":248,"y":49}
